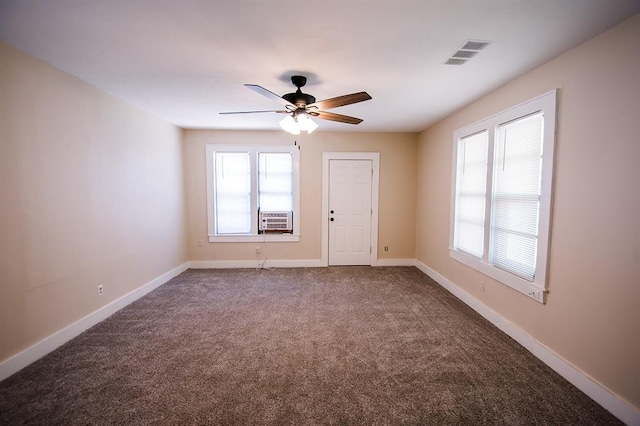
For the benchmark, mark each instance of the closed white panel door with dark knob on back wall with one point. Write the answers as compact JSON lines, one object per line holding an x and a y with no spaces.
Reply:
{"x":350,"y":212}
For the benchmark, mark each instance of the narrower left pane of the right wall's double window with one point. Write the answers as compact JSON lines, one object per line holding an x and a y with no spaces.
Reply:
{"x":471,"y":180}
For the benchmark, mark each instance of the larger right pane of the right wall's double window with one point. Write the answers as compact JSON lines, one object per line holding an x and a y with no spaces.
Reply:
{"x":516,"y":195}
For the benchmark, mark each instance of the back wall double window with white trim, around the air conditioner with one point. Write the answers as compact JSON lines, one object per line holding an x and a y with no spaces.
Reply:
{"x":243,"y":180}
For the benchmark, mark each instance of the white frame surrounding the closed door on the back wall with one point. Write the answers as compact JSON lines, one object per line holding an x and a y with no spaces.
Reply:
{"x":374,"y":157}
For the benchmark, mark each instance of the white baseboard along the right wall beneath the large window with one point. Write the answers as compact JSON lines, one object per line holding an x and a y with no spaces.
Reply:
{"x":603,"y":396}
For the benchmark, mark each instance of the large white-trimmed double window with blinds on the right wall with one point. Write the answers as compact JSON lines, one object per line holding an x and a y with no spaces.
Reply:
{"x":502,"y":195}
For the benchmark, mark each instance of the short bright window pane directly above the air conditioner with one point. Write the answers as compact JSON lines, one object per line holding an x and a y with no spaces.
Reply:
{"x":275,"y":184}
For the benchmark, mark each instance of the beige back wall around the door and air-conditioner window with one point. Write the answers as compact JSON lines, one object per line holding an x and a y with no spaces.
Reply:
{"x":398,"y":165}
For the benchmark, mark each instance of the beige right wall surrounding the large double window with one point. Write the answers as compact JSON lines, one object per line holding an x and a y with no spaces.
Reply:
{"x":592,"y":318}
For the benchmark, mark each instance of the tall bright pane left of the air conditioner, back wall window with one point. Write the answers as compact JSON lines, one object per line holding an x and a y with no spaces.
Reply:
{"x":232,"y":193}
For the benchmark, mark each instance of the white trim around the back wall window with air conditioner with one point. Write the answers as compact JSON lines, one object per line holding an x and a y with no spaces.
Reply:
{"x":211,"y":149}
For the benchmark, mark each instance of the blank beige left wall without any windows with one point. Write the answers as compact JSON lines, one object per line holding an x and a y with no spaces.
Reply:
{"x":91,"y":192}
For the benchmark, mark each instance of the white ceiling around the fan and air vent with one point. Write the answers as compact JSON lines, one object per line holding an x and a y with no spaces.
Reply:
{"x":187,"y":60}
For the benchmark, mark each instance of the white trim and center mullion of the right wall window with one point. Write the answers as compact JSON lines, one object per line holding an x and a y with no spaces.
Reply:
{"x":537,"y":289}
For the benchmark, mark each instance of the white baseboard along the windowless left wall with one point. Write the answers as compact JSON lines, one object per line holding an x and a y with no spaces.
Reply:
{"x":49,"y":344}
